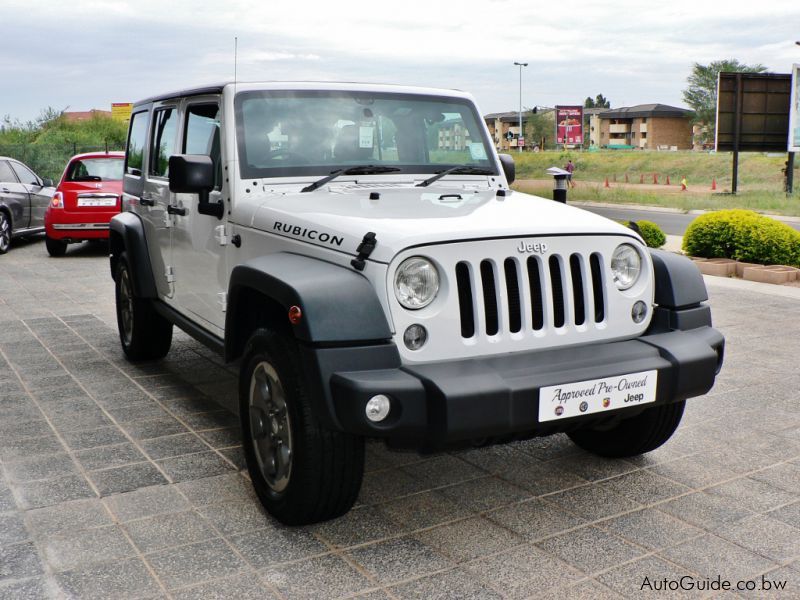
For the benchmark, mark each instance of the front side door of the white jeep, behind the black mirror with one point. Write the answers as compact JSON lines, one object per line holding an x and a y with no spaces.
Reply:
{"x":197,"y":240}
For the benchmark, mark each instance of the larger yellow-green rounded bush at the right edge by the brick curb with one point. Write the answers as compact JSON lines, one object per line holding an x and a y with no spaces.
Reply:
{"x":743,"y":235}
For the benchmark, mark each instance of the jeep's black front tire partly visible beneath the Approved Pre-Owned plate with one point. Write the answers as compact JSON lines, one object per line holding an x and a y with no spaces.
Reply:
{"x":640,"y":434}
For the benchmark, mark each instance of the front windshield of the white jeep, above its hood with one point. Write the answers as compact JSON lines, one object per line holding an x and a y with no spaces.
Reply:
{"x":293,"y":133}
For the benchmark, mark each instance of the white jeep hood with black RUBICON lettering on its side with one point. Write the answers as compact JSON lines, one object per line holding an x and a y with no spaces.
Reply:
{"x":338,"y":218}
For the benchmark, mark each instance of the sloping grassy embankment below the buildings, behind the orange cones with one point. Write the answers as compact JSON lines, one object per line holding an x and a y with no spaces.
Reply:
{"x":756,"y":170}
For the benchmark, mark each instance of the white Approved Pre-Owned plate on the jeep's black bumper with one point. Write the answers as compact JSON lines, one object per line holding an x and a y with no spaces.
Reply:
{"x":596,"y":395}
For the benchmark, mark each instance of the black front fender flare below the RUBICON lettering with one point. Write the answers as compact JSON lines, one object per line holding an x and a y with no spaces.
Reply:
{"x":339,"y":306}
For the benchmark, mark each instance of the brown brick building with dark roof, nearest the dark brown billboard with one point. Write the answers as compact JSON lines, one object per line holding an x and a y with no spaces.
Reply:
{"x":644,"y":126}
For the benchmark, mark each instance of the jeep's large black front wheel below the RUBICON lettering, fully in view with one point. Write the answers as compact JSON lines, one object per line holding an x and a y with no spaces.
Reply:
{"x":320,"y":476}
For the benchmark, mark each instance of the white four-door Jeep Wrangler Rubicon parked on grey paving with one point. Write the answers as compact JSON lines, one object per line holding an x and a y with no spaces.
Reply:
{"x":357,"y":249}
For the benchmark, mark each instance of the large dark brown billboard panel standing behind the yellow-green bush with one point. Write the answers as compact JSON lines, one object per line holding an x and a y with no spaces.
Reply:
{"x":753,"y":111}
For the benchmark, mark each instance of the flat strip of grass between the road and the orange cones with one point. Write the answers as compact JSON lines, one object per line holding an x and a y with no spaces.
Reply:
{"x":768,"y":202}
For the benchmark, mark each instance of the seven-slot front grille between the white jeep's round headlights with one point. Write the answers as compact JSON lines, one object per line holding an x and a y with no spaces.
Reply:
{"x":534,"y":294}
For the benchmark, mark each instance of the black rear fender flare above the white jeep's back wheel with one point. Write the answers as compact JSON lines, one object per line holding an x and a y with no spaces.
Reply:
{"x":126,"y":234}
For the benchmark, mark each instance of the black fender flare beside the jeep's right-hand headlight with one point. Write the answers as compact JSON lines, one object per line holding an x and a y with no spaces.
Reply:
{"x":678,"y":281}
